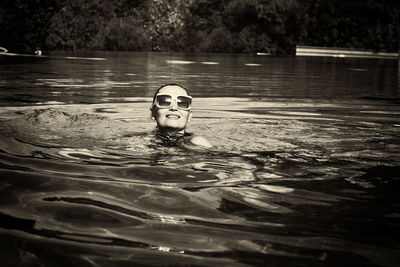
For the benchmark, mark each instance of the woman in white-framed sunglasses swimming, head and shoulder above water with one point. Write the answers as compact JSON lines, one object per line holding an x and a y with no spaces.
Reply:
{"x":172,"y":110}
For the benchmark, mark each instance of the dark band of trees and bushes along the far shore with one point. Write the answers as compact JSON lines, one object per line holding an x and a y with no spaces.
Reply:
{"x":240,"y":26}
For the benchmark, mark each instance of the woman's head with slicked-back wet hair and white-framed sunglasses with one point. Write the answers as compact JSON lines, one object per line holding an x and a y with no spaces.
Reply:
{"x":171,"y":108}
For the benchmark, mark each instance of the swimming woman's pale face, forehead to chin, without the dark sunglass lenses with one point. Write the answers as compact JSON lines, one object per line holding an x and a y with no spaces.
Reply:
{"x":172,"y":118}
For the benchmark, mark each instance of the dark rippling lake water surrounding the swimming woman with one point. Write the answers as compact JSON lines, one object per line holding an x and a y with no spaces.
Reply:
{"x":304,"y":170}
